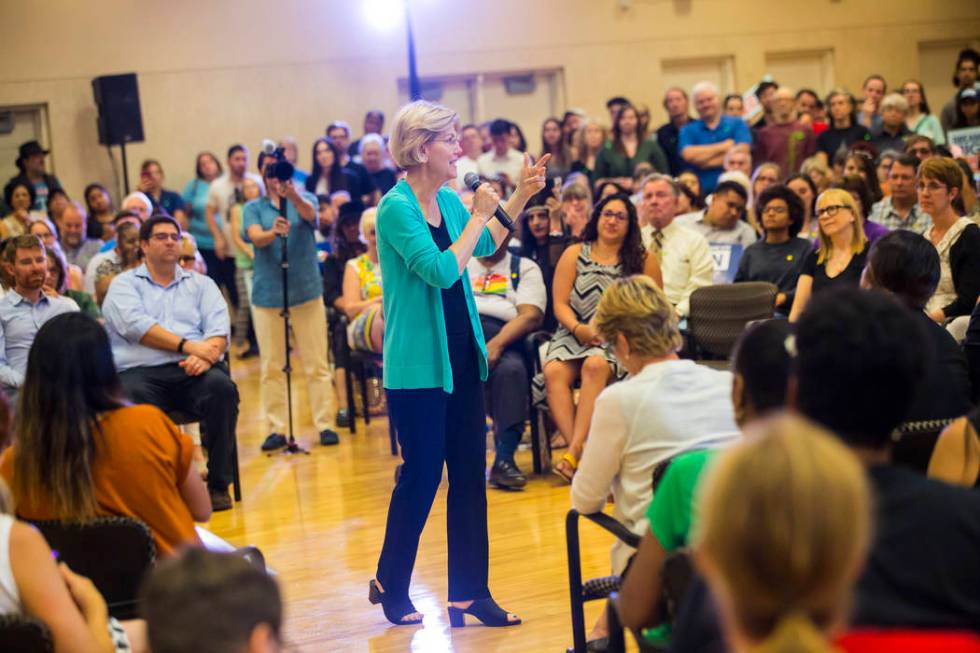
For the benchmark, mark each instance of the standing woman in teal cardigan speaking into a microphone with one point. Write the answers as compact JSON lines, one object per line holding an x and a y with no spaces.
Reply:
{"x":435,"y":361}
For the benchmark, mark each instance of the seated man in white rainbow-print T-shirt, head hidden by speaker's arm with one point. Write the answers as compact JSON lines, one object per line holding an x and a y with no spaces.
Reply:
{"x":511,"y":298}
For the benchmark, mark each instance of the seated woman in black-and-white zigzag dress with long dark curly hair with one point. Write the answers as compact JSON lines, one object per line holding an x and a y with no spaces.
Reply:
{"x":611,"y":248}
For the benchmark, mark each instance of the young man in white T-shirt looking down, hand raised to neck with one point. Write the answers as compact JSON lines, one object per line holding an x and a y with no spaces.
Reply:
{"x":721,"y":224}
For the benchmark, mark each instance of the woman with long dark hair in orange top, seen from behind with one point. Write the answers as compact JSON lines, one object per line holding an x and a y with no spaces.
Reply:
{"x":82,"y":451}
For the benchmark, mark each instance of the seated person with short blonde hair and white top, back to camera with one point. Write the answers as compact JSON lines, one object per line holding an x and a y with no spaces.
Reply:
{"x":666,"y":406}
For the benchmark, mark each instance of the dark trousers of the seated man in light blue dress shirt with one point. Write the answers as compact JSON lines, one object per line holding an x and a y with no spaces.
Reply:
{"x":211,"y":398}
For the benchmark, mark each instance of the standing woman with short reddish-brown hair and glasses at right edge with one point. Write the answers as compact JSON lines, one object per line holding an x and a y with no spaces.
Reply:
{"x":956,"y":238}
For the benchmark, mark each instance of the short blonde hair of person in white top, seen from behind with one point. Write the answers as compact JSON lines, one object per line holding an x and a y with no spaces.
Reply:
{"x":639,"y":310}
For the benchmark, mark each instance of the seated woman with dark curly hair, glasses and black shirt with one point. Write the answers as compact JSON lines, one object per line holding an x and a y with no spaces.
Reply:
{"x":778,"y":258}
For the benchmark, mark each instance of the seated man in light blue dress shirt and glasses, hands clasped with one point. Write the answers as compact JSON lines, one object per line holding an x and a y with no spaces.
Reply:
{"x":169,"y":332}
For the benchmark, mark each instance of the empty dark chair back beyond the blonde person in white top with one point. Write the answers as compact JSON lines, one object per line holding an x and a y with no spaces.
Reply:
{"x":720,"y":313}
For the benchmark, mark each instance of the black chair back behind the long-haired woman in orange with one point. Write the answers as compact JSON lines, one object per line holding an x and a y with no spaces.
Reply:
{"x":113,"y":552}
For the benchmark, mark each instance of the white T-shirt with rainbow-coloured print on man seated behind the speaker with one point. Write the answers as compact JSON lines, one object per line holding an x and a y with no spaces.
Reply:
{"x":493,"y":288}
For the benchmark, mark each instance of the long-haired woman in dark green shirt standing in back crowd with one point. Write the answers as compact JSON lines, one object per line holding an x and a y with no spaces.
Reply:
{"x":618,"y":158}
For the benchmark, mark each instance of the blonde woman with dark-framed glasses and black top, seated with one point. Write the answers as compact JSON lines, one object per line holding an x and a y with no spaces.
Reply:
{"x":842,"y":251}
